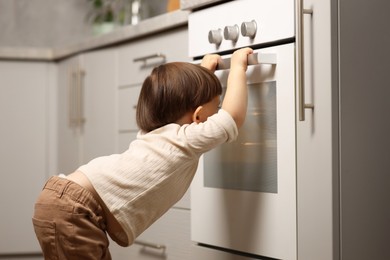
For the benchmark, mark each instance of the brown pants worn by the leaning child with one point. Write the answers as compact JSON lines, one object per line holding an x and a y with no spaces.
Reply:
{"x":69,"y":222}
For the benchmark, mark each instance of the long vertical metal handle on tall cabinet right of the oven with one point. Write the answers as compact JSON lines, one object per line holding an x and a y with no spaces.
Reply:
{"x":301,"y":60}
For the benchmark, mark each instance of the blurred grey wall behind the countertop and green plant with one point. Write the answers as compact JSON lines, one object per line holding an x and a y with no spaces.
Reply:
{"x":51,"y":23}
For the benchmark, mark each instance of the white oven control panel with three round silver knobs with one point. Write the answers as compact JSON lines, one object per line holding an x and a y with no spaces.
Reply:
{"x":237,"y":24}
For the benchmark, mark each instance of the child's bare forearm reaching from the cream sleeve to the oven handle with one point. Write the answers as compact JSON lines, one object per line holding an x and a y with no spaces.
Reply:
{"x":236,"y":97}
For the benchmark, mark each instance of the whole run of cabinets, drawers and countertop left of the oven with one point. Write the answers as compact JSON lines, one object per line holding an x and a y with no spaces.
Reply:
{"x":59,"y":114}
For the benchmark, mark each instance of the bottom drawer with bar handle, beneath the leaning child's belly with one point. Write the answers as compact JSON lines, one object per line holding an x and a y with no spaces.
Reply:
{"x":171,"y":231}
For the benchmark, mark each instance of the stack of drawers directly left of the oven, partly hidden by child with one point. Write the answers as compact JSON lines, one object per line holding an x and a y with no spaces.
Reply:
{"x":169,"y":237}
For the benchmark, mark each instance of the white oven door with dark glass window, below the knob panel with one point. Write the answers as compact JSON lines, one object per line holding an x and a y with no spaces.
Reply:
{"x":243,"y":197}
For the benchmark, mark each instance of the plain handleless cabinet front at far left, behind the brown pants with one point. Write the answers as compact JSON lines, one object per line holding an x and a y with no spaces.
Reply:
{"x":27,"y":151}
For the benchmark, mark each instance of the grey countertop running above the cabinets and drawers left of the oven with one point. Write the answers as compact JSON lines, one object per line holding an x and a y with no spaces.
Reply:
{"x":125,"y":33}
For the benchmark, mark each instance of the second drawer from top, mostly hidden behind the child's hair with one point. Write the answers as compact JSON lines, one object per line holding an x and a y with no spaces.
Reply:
{"x":127,"y":105}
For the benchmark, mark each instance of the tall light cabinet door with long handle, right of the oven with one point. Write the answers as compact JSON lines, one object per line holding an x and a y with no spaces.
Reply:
{"x":315,"y":180}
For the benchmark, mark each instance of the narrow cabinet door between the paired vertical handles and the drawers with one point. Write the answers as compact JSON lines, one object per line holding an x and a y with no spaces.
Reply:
{"x":99,"y":131}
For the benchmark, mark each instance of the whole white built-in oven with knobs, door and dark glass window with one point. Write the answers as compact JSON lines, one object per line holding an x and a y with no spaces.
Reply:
{"x":243,"y":197}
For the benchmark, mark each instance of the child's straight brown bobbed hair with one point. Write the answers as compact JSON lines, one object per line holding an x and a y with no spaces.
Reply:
{"x":172,"y":90}
